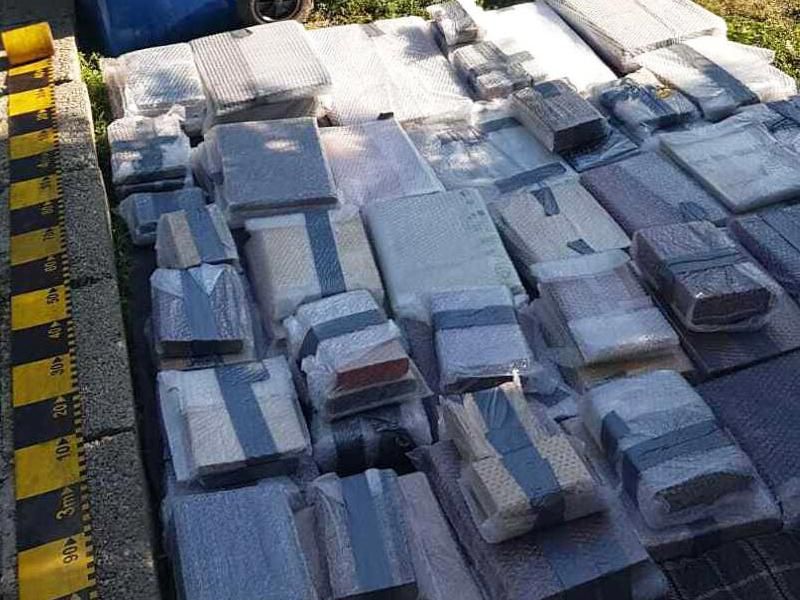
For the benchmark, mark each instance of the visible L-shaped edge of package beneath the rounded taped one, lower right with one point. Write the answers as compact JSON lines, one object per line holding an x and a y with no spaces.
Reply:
{"x":754,"y":513}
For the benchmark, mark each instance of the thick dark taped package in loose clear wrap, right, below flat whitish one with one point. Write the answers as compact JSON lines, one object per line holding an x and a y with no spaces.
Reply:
{"x":708,"y":282}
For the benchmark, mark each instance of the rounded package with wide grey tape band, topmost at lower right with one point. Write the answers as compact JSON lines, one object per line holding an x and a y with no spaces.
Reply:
{"x":672,"y":457}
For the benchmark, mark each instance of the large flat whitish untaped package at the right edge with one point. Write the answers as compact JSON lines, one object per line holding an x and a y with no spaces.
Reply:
{"x":740,"y":163}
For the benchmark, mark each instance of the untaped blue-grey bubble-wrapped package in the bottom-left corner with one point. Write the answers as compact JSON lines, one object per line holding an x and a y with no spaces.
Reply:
{"x":255,"y":549}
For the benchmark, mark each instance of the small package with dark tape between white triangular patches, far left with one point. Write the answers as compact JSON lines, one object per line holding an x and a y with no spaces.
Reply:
{"x":197,"y":311}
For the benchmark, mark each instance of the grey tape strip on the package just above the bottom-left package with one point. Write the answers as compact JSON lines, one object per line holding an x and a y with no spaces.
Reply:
{"x":248,"y":421}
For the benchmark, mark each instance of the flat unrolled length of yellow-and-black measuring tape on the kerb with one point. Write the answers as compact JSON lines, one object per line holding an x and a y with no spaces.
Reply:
{"x":54,"y":545}
